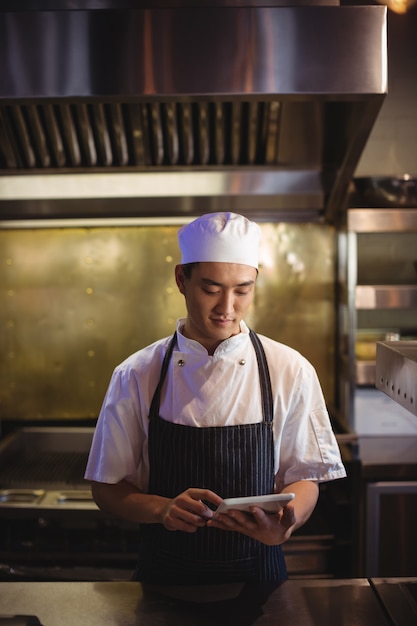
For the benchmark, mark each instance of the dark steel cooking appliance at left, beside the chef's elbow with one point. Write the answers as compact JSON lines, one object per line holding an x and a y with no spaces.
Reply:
{"x":50,"y":527}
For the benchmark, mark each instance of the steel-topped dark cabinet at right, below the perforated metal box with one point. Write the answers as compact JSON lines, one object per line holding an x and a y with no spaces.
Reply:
{"x":387,"y":498}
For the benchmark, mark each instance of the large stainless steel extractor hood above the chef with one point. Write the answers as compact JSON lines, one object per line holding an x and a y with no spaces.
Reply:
{"x":168,"y":108}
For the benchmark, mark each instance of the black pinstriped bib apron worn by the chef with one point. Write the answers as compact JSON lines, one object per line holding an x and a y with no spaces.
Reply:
{"x":232,"y":461}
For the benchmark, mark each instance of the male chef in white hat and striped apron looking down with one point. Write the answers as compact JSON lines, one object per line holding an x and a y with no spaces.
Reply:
{"x":214,"y":411}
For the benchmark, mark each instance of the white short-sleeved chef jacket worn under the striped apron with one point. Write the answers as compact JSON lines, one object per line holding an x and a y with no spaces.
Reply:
{"x":215,"y":390}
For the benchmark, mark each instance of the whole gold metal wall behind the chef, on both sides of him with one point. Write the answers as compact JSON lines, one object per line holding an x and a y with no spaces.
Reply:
{"x":76,"y":301}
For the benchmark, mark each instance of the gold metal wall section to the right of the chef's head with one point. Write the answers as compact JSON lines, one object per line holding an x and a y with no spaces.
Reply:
{"x":295,"y":297}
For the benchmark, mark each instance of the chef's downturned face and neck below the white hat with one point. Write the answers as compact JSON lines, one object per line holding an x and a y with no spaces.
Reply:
{"x":217,"y":297}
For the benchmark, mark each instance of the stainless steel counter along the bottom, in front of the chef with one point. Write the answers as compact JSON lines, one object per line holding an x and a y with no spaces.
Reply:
{"x":353,"y":602}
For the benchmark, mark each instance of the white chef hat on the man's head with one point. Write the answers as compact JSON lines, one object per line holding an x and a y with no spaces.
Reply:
{"x":220,"y":237}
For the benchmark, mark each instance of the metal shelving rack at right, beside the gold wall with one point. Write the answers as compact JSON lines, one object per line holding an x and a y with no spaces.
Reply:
{"x":377,"y":295}
